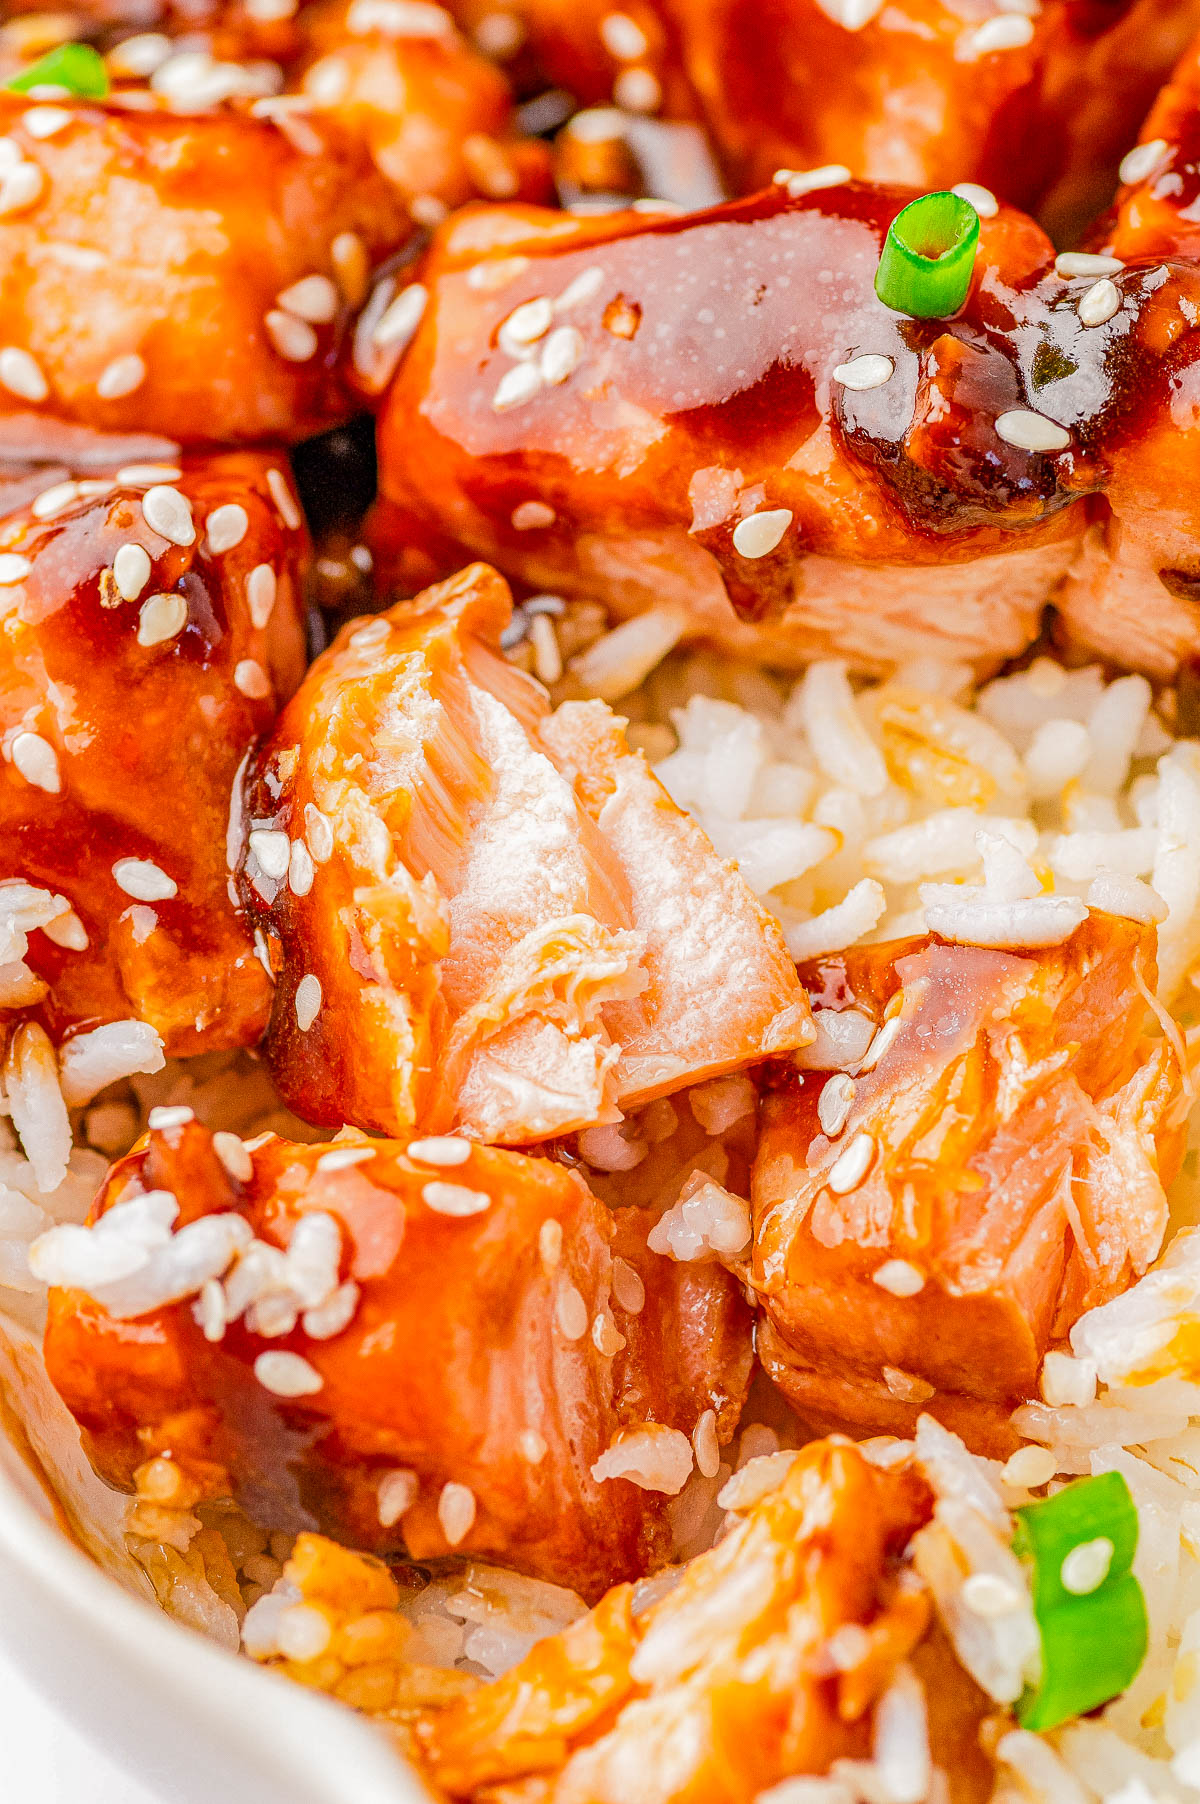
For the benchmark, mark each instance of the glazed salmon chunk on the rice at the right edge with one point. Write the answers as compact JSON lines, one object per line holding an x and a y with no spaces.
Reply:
{"x":927,"y":1229}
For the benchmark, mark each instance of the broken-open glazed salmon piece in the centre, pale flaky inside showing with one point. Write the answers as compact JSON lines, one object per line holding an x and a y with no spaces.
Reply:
{"x":459,"y":941}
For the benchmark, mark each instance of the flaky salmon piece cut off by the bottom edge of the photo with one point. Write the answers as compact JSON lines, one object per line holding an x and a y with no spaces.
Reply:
{"x":723,"y":1688}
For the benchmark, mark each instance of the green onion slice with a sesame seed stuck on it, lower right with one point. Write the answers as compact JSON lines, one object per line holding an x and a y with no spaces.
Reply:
{"x":1089,"y":1606}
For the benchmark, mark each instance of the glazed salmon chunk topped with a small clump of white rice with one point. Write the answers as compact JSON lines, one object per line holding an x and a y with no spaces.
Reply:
{"x":457,"y":1345}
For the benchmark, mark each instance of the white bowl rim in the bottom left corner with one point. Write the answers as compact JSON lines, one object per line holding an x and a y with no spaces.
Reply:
{"x":198,"y":1726}
